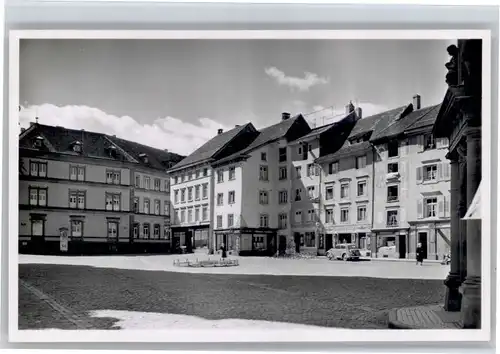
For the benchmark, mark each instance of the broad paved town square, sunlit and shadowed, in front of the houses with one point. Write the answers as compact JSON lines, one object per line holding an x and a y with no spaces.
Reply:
{"x":148,"y":291}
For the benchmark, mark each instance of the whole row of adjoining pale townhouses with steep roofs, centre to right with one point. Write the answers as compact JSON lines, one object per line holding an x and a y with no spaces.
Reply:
{"x":375,"y":181}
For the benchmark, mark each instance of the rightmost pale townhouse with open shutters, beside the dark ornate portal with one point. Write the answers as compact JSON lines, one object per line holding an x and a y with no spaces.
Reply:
{"x":411,"y":190}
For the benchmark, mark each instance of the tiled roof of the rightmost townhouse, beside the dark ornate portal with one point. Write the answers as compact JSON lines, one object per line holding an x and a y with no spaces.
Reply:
{"x":399,"y":126}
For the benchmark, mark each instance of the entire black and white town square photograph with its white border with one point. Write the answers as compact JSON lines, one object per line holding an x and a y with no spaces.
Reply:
{"x":252,"y":183}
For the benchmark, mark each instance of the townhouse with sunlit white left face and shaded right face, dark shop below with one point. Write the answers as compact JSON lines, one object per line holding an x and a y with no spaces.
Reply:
{"x":253,"y":191}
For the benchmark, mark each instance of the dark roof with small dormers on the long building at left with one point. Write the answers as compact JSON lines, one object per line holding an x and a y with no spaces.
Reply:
{"x":96,"y":145}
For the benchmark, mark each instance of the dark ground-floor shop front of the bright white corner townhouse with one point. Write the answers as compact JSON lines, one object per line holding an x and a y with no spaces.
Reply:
{"x":247,"y":241}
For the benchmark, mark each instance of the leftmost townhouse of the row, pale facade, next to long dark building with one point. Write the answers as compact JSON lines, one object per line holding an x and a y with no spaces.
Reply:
{"x":192,"y":187}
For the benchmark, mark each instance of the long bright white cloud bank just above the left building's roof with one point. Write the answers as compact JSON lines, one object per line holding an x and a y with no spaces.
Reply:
{"x":164,"y":133}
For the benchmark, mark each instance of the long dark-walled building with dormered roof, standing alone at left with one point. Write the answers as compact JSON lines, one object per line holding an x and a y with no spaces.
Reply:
{"x":105,"y":193}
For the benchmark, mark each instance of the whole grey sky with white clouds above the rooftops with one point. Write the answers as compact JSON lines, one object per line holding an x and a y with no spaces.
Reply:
{"x":175,"y":94}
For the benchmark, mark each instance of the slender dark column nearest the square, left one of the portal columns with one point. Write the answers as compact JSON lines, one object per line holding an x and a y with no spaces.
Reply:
{"x":453,"y":298}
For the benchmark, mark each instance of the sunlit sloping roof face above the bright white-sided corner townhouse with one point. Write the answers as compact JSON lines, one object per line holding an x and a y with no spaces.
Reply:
{"x":266,"y":135}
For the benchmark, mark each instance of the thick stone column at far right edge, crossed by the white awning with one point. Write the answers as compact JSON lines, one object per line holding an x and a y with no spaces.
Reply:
{"x":471,"y":309}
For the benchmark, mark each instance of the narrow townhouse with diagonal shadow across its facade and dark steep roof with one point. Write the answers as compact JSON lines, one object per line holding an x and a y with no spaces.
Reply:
{"x":307,"y":178}
